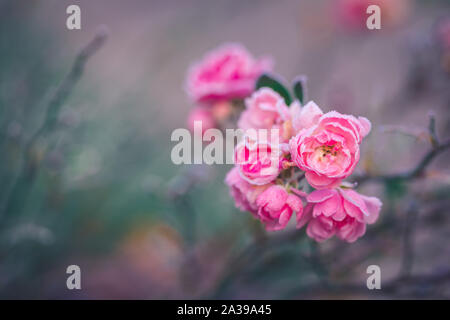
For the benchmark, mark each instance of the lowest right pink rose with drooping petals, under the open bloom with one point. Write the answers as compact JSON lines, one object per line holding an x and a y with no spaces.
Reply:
{"x":340,"y":212}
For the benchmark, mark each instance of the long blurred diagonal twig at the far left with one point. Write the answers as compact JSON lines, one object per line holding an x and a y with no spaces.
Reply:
{"x":26,"y":176}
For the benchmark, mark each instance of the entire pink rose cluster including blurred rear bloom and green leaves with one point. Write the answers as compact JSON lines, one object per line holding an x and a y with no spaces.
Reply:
{"x":302,"y":142}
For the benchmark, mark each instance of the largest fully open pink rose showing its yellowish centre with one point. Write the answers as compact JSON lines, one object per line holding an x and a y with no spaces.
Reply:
{"x":327,"y":145}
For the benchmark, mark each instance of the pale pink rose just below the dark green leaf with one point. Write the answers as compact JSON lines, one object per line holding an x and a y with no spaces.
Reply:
{"x":264,"y":109}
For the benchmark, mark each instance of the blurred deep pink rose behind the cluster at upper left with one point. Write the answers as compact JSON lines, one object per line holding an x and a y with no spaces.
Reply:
{"x":229,"y":72}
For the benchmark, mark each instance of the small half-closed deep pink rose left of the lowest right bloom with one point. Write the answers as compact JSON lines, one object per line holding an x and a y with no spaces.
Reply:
{"x":275,"y":207}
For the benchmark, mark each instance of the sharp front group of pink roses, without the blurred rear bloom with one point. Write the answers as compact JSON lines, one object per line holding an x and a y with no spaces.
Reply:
{"x":325,"y":146}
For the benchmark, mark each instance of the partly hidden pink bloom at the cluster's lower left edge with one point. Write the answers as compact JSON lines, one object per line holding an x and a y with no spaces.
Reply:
{"x":243,"y":193}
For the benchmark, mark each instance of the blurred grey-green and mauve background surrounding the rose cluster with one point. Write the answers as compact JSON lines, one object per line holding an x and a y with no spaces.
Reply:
{"x":96,"y":187}
